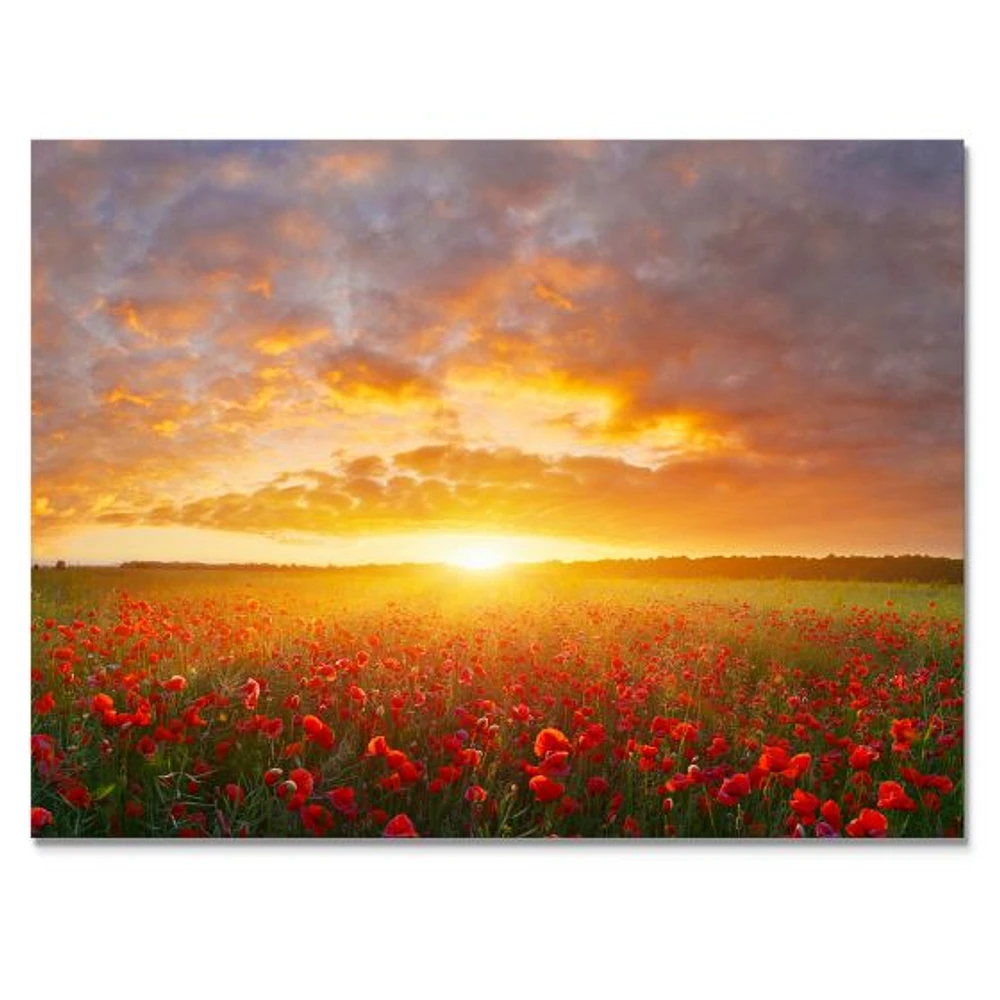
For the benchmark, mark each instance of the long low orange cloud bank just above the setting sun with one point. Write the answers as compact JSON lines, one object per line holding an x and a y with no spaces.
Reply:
{"x":762,"y":506}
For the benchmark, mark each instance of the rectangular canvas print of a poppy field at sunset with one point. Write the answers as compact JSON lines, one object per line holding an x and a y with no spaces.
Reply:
{"x":516,"y":489}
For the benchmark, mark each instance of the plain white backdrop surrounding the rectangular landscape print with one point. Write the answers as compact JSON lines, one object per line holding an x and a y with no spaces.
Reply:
{"x":760,"y":920}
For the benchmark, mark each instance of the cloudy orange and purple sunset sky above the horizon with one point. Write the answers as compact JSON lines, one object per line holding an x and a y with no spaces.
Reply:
{"x":382,"y":352}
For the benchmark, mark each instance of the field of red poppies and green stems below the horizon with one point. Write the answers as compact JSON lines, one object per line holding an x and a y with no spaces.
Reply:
{"x":520,"y":704}
